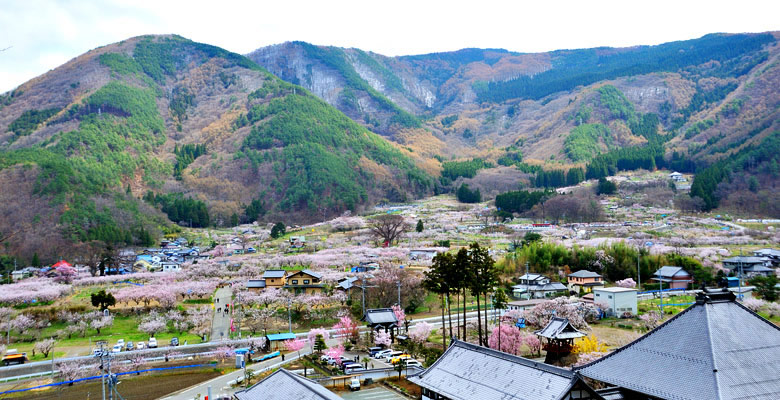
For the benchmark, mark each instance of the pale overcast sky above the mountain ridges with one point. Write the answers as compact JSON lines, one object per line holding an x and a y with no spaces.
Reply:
{"x":39,"y":35}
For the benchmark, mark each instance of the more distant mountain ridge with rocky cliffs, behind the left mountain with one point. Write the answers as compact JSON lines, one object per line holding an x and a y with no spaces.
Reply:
{"x":709,"y":96}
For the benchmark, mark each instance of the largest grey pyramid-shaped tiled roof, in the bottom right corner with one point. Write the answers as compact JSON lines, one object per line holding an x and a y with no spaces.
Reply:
{"x":715,"y":350}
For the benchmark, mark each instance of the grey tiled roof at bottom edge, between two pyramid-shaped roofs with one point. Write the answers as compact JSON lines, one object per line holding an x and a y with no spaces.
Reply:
{"x":468,"y":371}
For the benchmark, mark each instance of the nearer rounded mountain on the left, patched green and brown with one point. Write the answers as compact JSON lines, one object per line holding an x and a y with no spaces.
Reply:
{"x":119,"y":141}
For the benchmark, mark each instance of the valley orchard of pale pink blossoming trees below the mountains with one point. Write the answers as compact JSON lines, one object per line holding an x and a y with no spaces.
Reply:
{"x":486,"y":254}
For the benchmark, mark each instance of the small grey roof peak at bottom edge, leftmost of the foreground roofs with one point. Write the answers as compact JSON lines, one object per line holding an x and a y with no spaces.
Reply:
{"x":285,"y":385}
